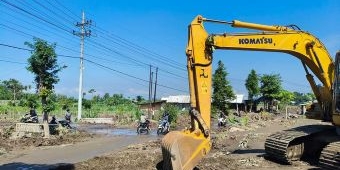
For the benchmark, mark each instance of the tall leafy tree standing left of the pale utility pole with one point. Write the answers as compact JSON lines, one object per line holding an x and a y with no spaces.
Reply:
{"x":43,"y":64}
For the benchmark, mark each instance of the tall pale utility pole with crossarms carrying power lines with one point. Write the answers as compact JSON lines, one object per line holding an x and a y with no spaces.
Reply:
{"x":82,"y":34}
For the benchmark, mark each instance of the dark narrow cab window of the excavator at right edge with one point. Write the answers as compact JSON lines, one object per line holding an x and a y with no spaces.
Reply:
{"x":337,"y":83}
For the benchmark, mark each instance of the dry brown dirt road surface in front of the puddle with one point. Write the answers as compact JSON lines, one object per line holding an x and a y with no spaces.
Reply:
{"x":51,"y":156}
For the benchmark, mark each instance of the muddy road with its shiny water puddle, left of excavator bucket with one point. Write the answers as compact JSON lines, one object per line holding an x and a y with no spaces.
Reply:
{"x":110,"y":140}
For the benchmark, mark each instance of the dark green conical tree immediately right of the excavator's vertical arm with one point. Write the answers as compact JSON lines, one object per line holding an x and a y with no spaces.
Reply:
{"x":222,"y":90}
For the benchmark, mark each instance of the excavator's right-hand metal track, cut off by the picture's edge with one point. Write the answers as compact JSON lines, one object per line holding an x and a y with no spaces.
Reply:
{"x":330,"y":156}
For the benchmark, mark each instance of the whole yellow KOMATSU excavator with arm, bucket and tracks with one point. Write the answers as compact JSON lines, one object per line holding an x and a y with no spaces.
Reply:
{"x":184,"y":149}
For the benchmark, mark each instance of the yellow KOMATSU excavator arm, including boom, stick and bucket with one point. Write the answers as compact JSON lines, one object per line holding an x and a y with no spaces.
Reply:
{"x":183,"y":150}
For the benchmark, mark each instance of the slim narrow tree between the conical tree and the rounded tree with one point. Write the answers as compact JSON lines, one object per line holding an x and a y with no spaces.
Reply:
{"x":252,"y":85}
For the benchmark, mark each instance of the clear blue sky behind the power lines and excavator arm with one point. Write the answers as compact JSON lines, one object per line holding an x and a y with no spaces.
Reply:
{"x":130,"y":35}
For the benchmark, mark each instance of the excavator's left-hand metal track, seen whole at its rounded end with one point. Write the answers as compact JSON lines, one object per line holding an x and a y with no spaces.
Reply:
{"x":288,"y":145}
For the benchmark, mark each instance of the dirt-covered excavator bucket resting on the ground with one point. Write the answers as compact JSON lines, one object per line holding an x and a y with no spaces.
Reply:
{"x":183,"y":150}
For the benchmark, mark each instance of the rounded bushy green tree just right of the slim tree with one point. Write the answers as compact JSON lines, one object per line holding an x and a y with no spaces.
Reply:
{"x":270,"y":88}
